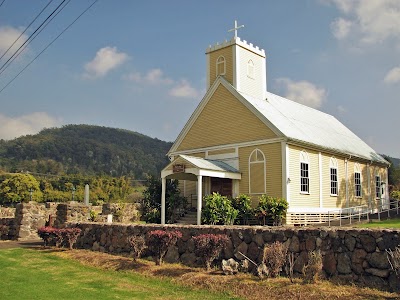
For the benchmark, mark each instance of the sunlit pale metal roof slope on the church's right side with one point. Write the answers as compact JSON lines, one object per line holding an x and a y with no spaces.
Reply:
{"x":307,"y":125}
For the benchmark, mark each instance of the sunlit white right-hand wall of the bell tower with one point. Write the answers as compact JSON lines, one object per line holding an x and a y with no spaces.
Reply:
{"x":251,"y":86}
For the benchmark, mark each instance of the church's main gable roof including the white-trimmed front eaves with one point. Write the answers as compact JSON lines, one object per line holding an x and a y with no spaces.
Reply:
{"x":295,"y":122}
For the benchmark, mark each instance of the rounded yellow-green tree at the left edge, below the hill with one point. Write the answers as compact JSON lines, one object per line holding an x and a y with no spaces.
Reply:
{"x":20,"y":188}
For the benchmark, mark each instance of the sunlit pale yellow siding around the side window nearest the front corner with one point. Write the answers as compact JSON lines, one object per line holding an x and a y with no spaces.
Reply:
{"x":296,"y":198}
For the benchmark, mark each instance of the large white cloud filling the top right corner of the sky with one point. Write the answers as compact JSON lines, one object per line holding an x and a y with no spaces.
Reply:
{"x":371,"y":21}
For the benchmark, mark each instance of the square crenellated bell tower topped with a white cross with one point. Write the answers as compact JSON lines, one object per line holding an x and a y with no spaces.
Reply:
{"x":240,"y":63}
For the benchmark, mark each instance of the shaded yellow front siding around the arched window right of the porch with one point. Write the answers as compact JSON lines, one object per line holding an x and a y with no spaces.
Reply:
{"x":273,"y":157}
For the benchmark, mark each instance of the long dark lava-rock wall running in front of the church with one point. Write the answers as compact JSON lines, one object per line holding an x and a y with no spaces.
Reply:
{"x":352,"y":254}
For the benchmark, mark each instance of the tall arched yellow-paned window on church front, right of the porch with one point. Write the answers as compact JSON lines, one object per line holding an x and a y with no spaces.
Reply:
{"x":257,"y":176}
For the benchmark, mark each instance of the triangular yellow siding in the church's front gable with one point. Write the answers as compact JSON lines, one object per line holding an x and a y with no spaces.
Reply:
{"x":224,"y":120}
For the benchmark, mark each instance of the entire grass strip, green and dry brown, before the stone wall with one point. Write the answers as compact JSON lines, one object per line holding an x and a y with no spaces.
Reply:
{"x":82,"y":274}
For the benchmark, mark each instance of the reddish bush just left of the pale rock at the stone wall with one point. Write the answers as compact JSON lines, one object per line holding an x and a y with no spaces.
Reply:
{"x":209,"y":246}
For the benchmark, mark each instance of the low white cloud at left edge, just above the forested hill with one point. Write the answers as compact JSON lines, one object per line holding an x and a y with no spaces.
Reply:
{"x":12,"y":127}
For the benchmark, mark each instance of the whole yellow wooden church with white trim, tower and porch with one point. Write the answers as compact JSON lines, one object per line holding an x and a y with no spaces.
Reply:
{"x":242,"y":139}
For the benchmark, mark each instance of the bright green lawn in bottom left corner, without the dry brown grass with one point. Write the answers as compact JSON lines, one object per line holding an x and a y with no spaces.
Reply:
{"x":35,"y":274}
